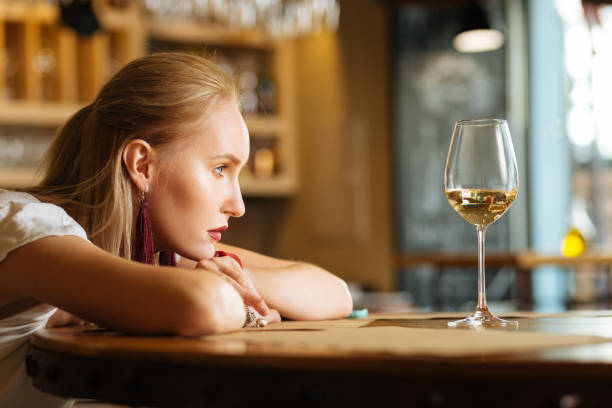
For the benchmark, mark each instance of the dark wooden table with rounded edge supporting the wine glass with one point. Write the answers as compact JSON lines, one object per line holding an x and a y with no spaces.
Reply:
{"x":89,"y":362}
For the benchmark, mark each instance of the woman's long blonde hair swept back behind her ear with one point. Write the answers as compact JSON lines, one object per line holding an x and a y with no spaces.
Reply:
{"x":152,"y":98}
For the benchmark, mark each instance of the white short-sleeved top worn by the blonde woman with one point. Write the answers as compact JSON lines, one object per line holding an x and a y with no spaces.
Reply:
{"x":24,"y":219}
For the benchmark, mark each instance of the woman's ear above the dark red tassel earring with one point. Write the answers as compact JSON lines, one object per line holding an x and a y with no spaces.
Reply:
{"x":138,"y":157}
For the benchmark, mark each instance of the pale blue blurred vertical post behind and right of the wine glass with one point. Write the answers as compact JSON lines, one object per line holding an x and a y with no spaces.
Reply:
{"x":549,"y":163}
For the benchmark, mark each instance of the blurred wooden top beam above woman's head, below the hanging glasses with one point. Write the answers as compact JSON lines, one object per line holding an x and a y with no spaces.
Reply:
{"x":192,"y":32}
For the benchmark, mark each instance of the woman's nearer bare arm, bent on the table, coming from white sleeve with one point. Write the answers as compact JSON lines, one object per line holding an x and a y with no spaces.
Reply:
{"x":84,"y":280}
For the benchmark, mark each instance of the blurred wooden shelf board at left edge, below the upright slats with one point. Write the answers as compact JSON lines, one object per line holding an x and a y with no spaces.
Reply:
{"x":45,"y":114}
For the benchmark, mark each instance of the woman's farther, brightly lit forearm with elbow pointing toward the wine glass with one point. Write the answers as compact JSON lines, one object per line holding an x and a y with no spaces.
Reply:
{"x":297,"y":290}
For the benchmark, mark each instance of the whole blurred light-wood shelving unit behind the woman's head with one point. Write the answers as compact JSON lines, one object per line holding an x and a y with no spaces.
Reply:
{"x":83,"y":64}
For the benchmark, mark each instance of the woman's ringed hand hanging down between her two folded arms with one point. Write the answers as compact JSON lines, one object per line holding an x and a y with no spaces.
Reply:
{"x":229,"y":269}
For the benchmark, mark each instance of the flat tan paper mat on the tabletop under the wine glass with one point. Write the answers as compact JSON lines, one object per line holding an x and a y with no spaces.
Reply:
{"x":407,"y":341}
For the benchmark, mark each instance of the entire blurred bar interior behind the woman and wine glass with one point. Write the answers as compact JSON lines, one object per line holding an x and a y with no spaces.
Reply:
{"x":350,"y":105}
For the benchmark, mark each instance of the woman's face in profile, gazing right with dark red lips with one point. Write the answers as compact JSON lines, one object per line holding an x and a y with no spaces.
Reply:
{"x":195,"y":190}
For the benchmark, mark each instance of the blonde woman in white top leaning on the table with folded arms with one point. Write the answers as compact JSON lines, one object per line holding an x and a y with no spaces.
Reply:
{"x":149,"y":167}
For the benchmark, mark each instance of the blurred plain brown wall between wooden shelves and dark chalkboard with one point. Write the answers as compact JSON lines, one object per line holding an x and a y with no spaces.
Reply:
{"x":341,"y":218}
